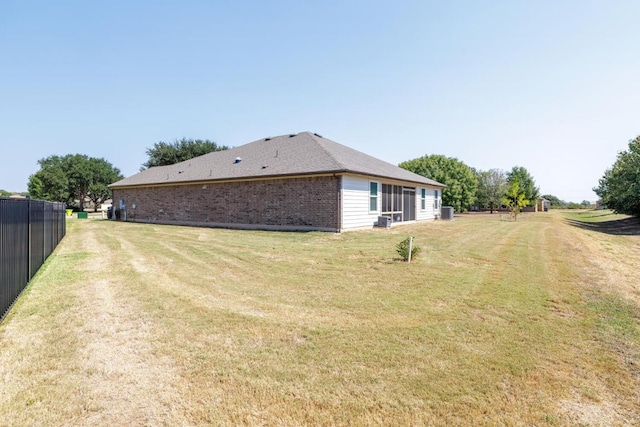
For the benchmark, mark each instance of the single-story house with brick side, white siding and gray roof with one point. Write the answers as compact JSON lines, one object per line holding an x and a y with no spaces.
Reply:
{"x":290,"y":182}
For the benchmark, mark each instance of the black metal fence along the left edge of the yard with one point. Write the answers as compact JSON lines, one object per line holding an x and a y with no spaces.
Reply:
{"x":29,"y":231}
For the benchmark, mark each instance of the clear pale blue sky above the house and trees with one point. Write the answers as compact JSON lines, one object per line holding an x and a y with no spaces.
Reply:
{"x":549,"y":85}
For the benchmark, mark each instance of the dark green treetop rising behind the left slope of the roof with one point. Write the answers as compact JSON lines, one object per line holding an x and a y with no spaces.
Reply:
{"x":165,"y":153}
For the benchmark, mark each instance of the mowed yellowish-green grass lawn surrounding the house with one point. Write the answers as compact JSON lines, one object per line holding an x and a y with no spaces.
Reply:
{"x":532,"y":322}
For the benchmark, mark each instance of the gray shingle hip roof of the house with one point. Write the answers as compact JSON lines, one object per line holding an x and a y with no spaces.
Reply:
{"x":304,"y":153}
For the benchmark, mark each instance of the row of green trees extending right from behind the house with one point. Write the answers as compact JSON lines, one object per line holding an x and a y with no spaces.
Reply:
{"x":468,"y":187}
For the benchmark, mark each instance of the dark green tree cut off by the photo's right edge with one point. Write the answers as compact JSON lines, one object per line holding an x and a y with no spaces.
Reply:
{"x":619,"y":188}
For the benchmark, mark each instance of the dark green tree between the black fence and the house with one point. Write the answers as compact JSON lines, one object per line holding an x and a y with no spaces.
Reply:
{"x":73,"y":178}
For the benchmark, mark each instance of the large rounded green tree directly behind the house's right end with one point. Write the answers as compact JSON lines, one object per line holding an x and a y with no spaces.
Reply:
{"x":459,"y":178}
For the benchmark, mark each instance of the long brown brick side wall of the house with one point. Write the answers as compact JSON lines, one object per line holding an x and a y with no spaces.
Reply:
{"x":305,"y":203}
